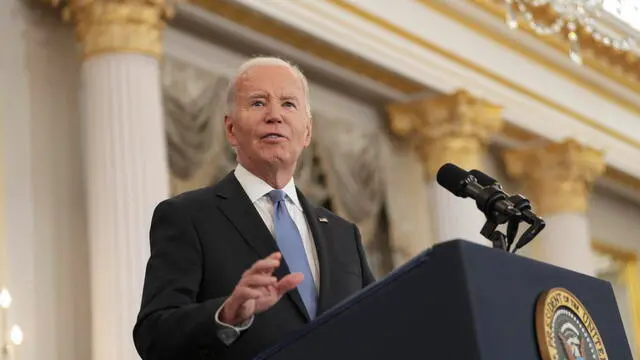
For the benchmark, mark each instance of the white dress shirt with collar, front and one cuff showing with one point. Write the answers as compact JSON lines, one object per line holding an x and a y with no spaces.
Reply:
{"x":257,"y":190}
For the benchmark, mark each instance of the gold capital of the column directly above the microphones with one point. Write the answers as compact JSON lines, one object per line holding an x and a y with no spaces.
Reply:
{"x":451,"y":128}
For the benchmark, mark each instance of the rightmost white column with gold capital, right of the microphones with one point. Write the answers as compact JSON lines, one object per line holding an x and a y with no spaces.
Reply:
{"x":557,"y":178}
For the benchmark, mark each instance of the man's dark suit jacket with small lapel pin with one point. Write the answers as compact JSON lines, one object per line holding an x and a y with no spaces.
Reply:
{"x":201,"y":243}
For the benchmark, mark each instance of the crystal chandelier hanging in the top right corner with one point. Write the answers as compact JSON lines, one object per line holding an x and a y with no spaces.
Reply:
{"x":573,"y":19}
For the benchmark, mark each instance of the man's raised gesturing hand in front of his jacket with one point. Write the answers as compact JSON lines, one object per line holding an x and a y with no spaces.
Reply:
{"x":257,"y":290}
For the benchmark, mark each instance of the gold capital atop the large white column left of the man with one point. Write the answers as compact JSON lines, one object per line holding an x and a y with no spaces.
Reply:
{"x":110,"y":26}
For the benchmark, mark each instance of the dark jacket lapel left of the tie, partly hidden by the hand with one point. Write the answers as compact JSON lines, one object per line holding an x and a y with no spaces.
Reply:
{"x":240,"y":211}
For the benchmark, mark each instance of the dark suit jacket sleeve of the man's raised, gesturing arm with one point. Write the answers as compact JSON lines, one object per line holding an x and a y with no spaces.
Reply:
{"x":171,"y":323}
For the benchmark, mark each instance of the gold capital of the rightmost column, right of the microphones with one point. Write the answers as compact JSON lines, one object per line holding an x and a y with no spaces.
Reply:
{"x":559,"y":176}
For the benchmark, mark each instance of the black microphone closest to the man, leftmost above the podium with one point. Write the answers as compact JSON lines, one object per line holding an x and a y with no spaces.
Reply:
{"x":461,"y":183}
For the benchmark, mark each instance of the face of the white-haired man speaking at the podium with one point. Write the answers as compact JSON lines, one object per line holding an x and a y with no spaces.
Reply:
{"x":269,"y":124}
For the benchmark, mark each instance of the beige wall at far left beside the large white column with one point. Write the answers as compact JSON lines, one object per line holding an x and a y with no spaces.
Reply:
{"x":44,"y":203}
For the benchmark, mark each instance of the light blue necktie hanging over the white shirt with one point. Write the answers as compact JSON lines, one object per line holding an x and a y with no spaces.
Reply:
{"x":290,"y":244}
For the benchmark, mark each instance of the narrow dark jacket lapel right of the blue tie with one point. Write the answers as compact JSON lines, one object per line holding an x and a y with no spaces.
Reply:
{"x":322,"y":249}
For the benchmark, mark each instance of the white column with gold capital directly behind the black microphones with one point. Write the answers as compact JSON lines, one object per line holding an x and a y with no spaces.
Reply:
{"x":454,"y":129}
